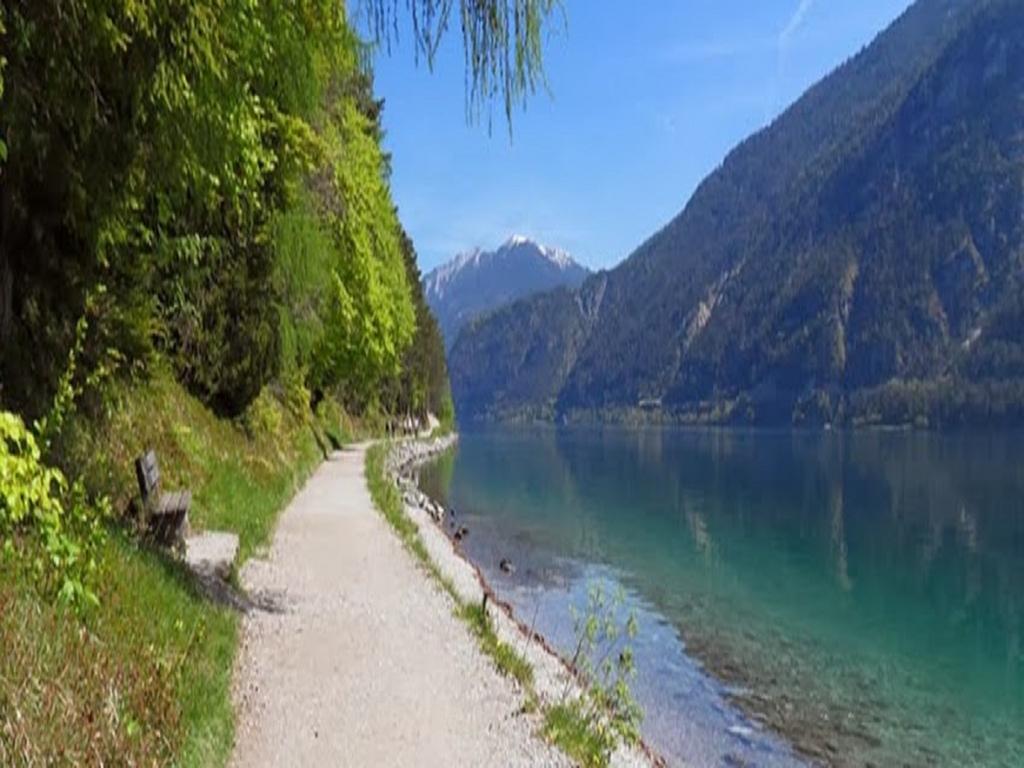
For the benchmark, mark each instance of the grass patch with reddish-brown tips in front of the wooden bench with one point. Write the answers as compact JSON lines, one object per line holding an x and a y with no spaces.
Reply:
{"x":143,"y":679}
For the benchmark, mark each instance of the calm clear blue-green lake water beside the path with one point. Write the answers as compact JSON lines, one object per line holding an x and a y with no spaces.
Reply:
{"x":862,"y":594}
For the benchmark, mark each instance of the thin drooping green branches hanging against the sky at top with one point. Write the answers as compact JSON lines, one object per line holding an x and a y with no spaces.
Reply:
{"x":503,"y":41}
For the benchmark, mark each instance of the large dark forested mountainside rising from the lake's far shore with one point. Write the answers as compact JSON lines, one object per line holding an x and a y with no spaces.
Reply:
{"x":861,"y":261}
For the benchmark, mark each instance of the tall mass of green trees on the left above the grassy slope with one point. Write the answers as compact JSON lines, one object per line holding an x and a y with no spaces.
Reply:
{"x":217,"y":167}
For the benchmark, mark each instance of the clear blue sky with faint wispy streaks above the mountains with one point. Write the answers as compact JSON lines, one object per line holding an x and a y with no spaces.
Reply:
{"x":647,"y":99}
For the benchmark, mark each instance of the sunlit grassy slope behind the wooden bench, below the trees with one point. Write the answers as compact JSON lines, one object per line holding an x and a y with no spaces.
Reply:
{"x":240,"y":477}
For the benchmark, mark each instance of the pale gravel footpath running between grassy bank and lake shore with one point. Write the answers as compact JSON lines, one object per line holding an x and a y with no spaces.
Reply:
{"x":356,"y":658}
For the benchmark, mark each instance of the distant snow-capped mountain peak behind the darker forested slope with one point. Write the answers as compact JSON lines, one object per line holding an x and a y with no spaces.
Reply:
{"x":479,"y":282}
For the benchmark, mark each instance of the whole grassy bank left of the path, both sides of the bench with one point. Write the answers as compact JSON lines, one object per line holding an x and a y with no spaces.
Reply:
{"x":145,"y":678}
